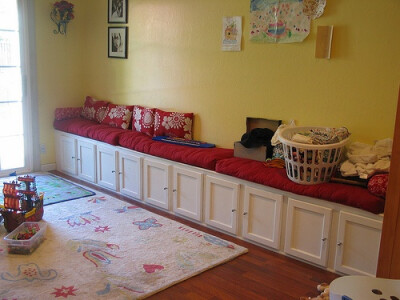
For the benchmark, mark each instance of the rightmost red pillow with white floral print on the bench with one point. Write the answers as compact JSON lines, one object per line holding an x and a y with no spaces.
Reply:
{"x":173,"y":124}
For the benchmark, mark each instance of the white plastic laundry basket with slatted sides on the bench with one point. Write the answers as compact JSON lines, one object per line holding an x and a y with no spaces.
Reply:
{"x":307,"y":163}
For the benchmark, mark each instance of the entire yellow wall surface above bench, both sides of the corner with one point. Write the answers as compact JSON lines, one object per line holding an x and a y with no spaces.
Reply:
{"x":175,"y":62}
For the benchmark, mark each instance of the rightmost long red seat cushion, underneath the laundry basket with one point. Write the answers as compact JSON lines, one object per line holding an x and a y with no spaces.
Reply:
{"x":255,"y":171}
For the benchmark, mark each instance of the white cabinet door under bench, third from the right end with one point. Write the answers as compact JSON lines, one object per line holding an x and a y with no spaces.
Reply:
{"x":262,"y":217}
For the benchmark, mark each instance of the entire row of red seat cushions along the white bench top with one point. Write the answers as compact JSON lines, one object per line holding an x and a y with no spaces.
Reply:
{"x":222,"y":161}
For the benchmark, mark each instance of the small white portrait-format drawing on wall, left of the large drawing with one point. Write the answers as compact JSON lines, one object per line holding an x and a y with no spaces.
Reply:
{"x":231,"y":33}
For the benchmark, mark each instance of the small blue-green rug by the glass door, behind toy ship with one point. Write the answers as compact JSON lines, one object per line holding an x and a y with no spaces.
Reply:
{"x":56,"y":189}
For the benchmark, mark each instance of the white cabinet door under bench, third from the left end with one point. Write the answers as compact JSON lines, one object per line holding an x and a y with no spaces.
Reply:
{"x":106,"y":167}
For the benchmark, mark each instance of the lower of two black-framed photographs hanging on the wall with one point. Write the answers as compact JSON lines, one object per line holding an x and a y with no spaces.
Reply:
{"x":118,"y":42}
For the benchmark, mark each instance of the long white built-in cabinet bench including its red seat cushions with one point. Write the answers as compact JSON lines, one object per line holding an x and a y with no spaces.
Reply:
{"x":334,"y":226}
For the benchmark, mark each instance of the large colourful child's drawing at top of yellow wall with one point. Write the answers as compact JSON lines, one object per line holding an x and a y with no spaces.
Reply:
{"x":278,"y":21}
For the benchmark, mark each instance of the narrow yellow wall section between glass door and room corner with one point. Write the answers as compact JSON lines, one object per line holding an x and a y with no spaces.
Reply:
{"x":60,"y":65}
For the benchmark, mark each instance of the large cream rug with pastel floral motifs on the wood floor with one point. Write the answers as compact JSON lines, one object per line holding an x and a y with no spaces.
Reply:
{"x":104,"y":248}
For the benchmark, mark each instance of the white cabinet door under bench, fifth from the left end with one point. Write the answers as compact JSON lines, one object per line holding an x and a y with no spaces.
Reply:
{"x":156,"y":183}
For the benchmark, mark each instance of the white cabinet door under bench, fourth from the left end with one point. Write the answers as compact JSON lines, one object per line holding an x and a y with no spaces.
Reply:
{"x":130,"y":179}
